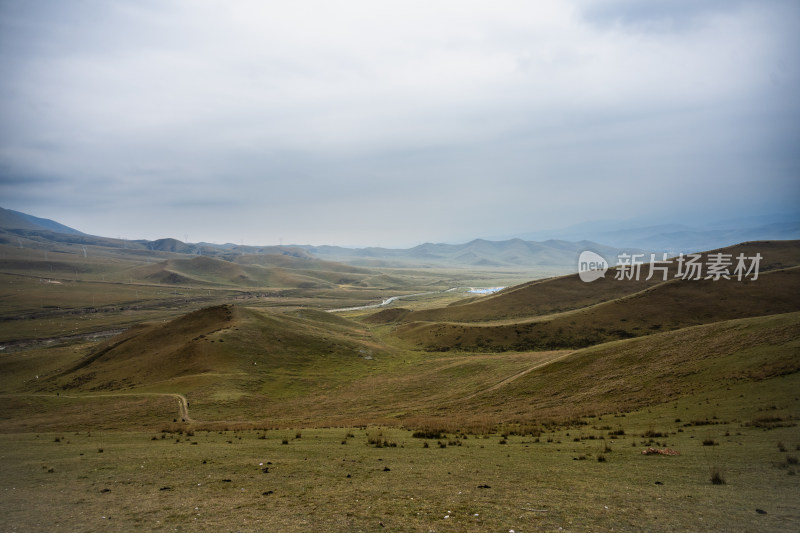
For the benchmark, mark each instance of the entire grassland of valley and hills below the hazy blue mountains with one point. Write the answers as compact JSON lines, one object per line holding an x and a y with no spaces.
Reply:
{"x":230,"y":399}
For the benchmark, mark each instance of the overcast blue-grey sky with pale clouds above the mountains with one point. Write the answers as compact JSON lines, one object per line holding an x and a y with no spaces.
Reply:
{"x":392,"y":123}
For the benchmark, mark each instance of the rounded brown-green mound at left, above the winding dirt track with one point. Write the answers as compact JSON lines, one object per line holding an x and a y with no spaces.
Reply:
{"x":224,"y":348}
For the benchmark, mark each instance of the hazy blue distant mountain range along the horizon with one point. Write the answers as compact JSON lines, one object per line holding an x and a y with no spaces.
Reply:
{"x":555,"y":251}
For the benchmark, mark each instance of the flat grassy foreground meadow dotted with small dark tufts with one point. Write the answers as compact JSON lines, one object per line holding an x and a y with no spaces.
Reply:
{"x":735,"y":470}
